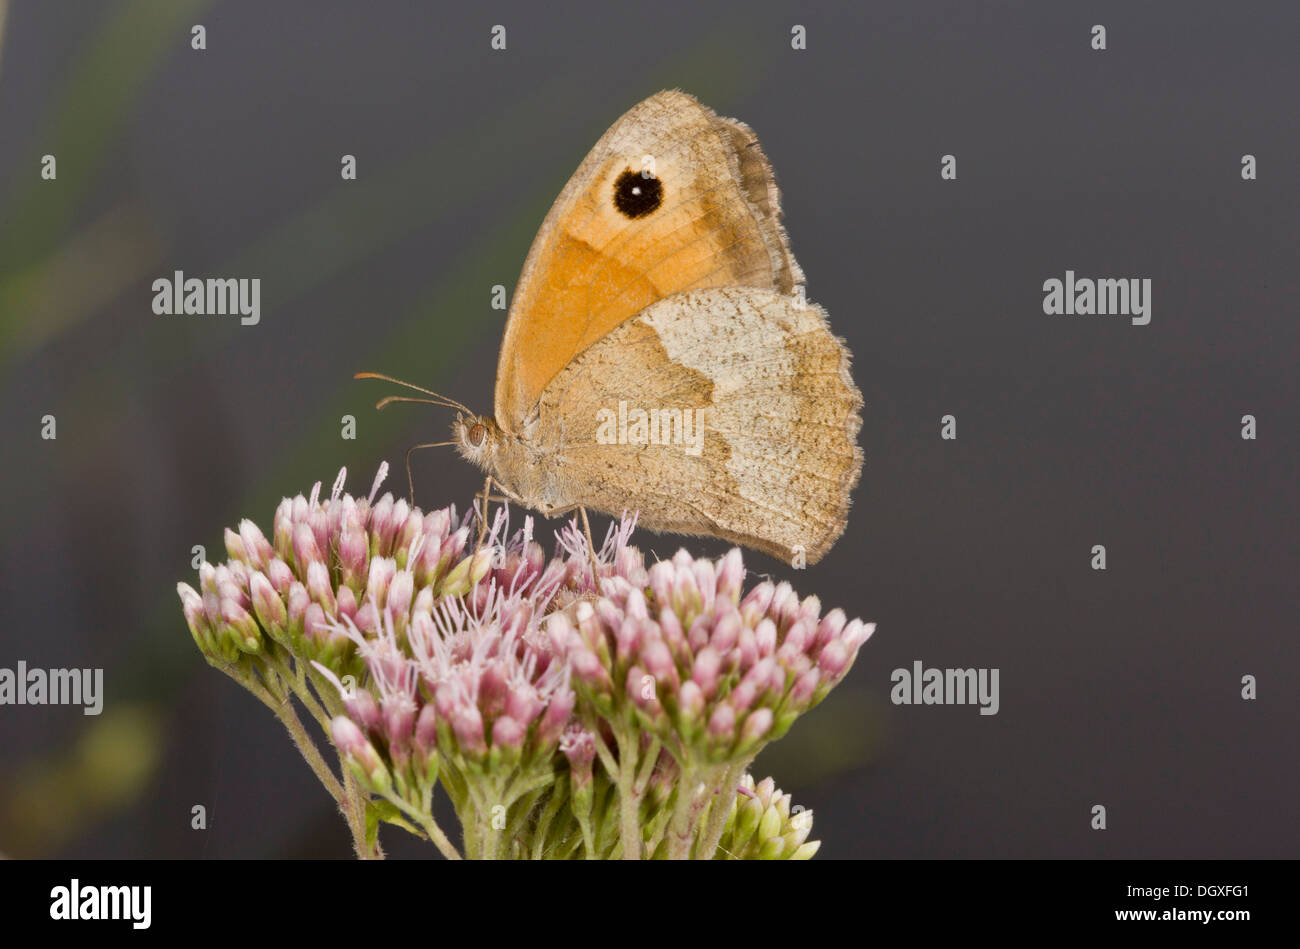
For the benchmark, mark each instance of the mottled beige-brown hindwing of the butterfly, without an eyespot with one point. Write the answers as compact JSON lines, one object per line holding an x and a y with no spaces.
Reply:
{"x":779,"y":410}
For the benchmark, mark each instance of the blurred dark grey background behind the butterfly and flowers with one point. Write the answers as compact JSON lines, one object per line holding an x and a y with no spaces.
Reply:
{"x":1119,"y":688}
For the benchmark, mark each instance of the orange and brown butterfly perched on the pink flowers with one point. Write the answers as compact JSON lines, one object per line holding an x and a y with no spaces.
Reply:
{"x":660,"y":354}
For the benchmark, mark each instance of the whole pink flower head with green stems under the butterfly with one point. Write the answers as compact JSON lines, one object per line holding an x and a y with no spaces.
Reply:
{"x":584,"y":705}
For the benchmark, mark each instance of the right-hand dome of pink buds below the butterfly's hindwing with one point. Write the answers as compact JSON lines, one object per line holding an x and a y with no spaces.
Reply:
{"x":712,"y":674}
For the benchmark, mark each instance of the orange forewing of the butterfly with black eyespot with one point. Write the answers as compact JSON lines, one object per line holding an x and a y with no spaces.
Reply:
{"x":707,"y":216}
